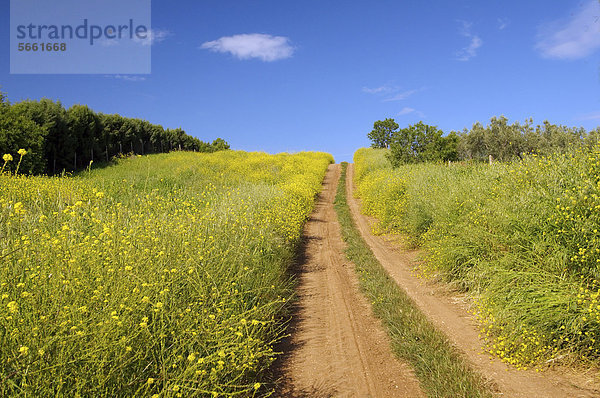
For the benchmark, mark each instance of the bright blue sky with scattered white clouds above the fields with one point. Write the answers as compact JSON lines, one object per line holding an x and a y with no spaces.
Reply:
{"x":314,"y":75}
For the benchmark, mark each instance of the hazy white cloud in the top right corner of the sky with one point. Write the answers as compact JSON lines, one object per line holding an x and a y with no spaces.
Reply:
{"x":575,"y":37}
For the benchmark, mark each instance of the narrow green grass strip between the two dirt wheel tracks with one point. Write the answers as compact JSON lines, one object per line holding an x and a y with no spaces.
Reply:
{"x":440,"y":368}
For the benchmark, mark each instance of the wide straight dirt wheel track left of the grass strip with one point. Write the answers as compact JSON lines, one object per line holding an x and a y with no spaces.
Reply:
{"x":337,"y":348}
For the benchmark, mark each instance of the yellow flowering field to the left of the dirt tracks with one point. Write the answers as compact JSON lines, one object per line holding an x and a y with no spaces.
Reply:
{"x":164,"y":275}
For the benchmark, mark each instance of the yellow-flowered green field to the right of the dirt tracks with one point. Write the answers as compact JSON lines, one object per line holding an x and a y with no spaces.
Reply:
{"x":521,"y":238}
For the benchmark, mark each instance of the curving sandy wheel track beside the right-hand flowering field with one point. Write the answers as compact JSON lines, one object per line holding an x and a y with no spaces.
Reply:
{"x":449,"y":314}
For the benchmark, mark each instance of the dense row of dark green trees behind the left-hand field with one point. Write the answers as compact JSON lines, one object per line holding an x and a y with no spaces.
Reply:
{"x":58,"y":139}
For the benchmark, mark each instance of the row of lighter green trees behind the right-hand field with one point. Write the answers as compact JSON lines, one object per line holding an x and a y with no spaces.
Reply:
{"x":499,"y":139}
